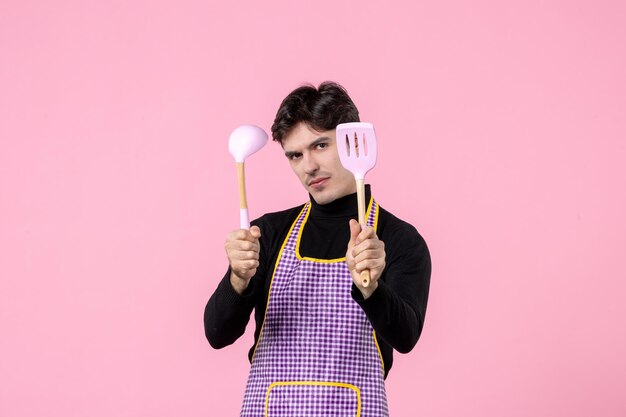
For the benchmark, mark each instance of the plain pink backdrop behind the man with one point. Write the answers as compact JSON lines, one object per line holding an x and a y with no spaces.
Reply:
{"x":502,"y":138}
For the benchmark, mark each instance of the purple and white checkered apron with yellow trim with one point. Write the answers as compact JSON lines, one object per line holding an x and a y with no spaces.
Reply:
{"x":317,"y":354}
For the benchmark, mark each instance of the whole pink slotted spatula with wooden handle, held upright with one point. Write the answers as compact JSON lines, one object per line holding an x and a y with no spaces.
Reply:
{"x":356,"y":144}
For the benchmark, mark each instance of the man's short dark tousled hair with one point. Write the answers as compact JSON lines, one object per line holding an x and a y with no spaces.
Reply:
{"x":321,"y":108}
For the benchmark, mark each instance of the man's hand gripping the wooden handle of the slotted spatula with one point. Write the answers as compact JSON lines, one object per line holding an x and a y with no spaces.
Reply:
{"x":365,"y":251}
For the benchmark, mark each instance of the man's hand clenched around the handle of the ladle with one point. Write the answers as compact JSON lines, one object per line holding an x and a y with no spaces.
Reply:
{"x":242,"y":248}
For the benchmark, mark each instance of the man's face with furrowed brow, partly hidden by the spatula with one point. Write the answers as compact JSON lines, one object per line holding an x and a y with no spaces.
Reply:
{"x":313,"y":157}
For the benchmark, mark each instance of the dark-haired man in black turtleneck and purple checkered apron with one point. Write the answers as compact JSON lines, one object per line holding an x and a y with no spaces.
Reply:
{"x":323,"y":342}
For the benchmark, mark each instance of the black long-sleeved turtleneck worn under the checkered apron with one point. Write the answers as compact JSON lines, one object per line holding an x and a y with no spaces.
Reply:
{"x":397,"y":307}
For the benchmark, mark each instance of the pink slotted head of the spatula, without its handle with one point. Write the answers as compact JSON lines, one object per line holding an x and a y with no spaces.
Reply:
{"x":356,"y":144}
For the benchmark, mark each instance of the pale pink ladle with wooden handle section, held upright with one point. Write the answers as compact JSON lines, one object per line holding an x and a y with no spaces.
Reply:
{"x":243,"y":142}
